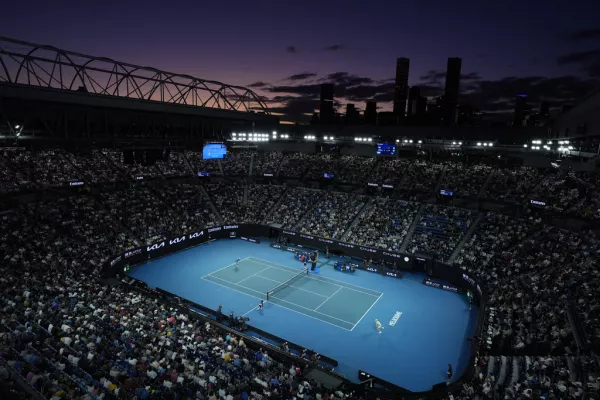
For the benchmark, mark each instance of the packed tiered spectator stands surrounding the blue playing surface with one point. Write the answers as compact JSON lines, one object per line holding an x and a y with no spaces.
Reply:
{"x":66,"y":334}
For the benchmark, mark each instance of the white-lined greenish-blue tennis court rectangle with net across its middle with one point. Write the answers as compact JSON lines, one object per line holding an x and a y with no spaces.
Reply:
{"x":334,"y":302}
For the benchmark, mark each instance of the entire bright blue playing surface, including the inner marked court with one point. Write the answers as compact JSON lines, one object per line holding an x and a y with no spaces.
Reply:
{"x":331,"y":312}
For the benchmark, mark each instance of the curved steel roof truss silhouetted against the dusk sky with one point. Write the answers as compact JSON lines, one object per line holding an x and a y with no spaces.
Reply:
{"x":47,"y":66}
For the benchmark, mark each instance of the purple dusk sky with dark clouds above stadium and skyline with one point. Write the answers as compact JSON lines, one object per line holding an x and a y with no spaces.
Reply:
{"x":241,"y":42}
